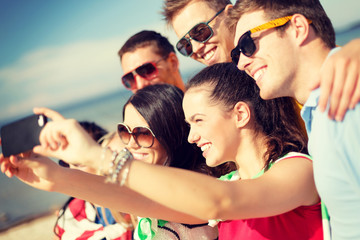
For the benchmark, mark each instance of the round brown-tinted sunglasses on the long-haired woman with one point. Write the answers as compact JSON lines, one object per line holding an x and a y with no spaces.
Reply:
{"x":143,"y":136}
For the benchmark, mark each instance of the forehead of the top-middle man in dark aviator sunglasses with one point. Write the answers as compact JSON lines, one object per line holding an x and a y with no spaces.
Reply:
{"x":193,"y":13}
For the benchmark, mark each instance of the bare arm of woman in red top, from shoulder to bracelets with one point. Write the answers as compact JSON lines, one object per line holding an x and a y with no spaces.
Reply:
{"x":287,"y":185}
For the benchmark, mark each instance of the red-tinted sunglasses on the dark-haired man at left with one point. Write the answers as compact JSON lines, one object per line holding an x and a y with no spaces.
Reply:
{"x":148,"y":71}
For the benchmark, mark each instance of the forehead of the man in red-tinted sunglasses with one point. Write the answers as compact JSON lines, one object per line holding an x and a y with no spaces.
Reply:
{"x":132,"y":60}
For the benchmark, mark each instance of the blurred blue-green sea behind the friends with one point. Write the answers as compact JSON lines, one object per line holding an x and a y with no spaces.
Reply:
{"x":20,"y":203}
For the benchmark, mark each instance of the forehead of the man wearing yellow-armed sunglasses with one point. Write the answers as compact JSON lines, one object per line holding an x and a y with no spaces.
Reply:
{"x":247,"y":22}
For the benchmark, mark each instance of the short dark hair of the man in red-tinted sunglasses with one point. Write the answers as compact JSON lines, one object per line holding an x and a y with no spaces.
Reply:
{"x":160,"y":44}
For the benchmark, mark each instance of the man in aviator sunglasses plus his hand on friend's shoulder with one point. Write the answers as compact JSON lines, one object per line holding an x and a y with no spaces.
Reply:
{"x":205,"y":36}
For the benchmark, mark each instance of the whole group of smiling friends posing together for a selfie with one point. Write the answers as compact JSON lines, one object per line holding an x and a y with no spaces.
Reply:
{"x":229,"y":155}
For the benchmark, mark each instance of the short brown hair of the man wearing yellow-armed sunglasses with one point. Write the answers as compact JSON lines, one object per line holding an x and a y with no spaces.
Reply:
{"x":311,"y":9}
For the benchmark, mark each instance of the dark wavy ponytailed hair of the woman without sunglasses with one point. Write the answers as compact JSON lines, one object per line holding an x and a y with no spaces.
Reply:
{"x":279,"y":119}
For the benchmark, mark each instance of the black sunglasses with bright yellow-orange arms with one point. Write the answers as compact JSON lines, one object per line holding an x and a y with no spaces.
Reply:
{"x":246,"y":44}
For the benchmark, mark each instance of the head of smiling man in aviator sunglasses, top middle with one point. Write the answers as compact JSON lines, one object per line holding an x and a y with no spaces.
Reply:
{"x":201,"y":28}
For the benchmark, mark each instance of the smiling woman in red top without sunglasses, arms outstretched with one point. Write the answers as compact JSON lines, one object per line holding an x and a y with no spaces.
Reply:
{"x":272,"y":194}
